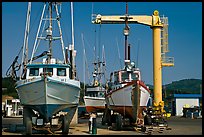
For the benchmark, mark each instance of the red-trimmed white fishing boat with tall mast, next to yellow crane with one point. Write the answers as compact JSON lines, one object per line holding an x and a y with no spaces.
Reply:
{"x":127,"y":95}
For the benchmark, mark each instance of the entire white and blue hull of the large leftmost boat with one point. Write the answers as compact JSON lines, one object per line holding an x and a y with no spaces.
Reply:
{"x":48,"y":95}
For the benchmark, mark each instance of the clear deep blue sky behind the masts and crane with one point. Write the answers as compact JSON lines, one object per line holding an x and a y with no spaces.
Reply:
{"x":185,"y":35}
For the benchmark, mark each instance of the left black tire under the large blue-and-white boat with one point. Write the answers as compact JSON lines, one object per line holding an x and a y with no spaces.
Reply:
{"x":27,"y":121}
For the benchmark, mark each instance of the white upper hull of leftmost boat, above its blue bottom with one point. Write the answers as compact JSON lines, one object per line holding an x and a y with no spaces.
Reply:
{"x":54,"y":91}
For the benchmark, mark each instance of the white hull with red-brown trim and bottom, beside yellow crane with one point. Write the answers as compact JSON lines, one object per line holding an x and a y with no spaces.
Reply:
{"x":129,"y":100}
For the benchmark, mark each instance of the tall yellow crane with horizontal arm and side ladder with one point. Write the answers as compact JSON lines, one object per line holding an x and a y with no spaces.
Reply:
{"x":159,"y":27}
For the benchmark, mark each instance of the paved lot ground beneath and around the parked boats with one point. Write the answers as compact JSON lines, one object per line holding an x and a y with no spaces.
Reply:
{"x":178,"y":125}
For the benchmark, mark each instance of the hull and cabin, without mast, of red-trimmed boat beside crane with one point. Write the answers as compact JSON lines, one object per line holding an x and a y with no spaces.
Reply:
{"x":127,"y":94}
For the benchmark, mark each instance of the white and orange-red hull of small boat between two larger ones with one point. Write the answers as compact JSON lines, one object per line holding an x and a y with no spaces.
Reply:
{"x":94,"y":104}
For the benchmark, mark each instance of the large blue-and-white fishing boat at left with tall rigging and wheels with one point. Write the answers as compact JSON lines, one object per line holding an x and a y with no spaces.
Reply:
{"x":48,"y":90}
